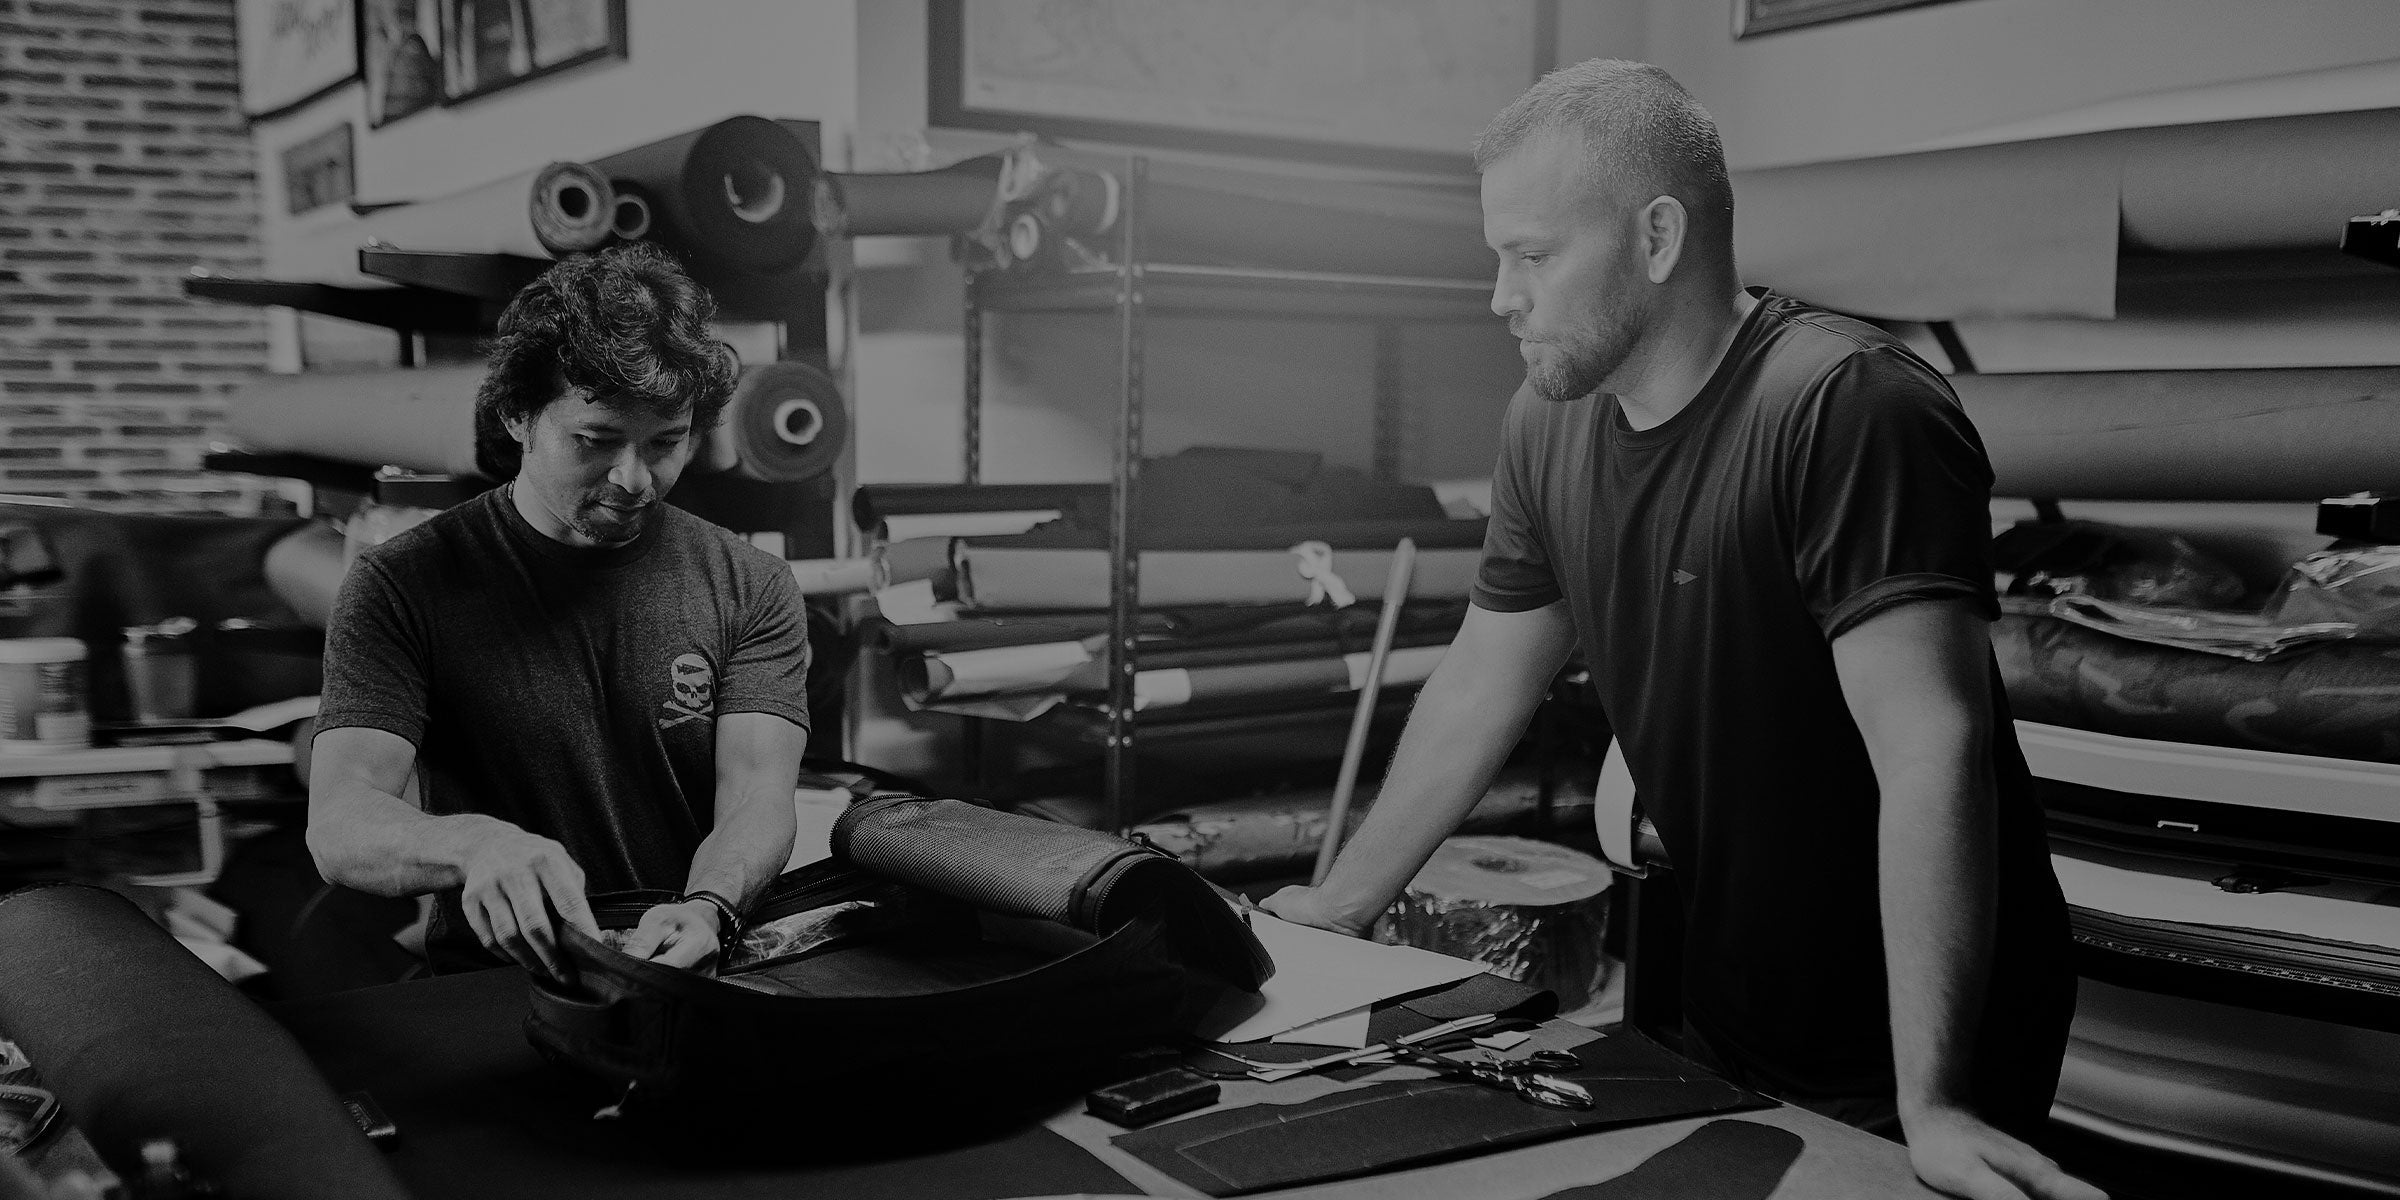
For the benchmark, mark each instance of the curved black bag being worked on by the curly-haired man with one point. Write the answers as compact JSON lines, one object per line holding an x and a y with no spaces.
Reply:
{"x":942,"y":949}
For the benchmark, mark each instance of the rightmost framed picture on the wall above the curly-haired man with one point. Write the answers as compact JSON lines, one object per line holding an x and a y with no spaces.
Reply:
{"x":493,"y":44}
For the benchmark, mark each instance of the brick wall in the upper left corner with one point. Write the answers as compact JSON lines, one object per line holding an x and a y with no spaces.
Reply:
{"x":124,"y":164}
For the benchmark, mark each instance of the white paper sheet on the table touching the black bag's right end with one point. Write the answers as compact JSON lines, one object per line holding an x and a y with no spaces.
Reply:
{"x":1321,"y":976}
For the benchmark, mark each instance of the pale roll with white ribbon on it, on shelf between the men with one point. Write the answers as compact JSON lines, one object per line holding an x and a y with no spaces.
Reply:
{"x":1033,"y":580}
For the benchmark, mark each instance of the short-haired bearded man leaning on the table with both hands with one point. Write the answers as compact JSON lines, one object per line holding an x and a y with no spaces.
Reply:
{"x":1770,"y":529}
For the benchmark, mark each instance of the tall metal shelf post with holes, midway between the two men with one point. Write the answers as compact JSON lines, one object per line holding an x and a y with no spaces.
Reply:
{"x":1124,"y":558}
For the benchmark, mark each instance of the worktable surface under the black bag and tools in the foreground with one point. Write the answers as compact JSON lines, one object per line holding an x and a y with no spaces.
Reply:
{"x":481,"y":1115}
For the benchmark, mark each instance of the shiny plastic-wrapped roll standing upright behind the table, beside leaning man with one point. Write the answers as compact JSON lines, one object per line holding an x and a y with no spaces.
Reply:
{"x":1528,"y":911}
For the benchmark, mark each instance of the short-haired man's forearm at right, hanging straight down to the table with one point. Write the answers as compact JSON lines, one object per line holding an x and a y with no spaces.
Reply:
{"x":1938,"y":882}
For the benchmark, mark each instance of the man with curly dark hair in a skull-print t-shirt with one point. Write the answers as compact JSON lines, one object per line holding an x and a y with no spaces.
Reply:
{"x":568,"y":685}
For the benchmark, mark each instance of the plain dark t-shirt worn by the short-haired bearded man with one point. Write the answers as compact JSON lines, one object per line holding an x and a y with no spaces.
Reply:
{"x":1823,"y":476}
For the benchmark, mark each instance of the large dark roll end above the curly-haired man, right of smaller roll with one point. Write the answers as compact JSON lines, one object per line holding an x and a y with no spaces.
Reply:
{"x":736,"y":196}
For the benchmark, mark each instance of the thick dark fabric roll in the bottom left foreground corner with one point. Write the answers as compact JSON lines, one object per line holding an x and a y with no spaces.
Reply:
{"x":140,"y":1040}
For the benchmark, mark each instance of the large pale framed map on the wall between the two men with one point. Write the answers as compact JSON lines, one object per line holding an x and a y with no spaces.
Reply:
{"x":1381,"y":83}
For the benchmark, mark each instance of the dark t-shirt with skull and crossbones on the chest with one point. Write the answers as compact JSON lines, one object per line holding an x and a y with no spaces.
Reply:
{"x":565,"y":690}
